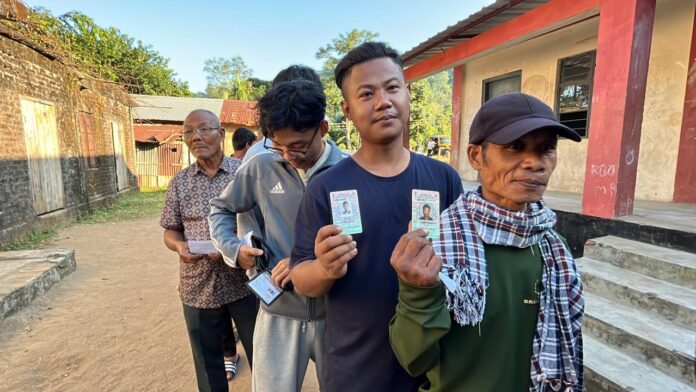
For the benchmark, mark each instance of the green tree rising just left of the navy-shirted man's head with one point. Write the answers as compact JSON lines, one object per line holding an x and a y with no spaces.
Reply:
{"x":332,"y":54}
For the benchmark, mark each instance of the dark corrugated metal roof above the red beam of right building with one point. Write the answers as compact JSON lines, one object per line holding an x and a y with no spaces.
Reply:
{"x":488,"y":17}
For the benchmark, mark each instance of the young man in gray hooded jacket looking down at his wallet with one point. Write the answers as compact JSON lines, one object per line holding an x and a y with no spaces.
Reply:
{"x":291,"y":330}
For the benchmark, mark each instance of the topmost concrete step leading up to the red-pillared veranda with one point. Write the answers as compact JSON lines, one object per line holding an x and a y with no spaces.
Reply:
{"x":666,"y":264}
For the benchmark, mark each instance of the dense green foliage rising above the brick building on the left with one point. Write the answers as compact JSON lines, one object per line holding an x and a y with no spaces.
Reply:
{"x":106,"y":53}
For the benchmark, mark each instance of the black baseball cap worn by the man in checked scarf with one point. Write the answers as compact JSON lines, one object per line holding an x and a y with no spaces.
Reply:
{"x":508,"y":117}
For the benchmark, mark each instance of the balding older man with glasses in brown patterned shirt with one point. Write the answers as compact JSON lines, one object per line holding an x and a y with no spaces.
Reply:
{"x":210,"y":291}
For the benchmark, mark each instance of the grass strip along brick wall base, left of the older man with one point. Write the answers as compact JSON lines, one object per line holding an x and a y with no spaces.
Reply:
{"x":132,"y":206}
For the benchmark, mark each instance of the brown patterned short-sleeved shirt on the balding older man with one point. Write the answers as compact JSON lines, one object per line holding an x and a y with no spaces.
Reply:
{"x":205,"y":284}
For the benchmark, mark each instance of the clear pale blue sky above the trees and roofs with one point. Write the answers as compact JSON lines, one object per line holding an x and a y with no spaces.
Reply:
{"x":268,"y":35}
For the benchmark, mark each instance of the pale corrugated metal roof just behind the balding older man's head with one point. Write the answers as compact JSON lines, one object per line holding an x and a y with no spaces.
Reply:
{"x":159,"y":108}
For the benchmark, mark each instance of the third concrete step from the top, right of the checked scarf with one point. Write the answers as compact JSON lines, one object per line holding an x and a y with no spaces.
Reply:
{"x":642,"y":335}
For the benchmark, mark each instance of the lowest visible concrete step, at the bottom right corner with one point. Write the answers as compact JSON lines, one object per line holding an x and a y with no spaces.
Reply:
{"x":609,"y":370}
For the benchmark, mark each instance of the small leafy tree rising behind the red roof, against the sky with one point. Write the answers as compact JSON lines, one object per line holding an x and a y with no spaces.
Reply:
{"x":231,"y":78}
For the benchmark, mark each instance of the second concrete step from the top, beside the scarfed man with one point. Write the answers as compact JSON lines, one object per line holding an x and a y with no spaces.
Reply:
{"x":675,"y":303}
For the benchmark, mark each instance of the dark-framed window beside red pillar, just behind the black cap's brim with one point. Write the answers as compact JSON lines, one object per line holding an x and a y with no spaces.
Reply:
{"x":574,"y":94}
